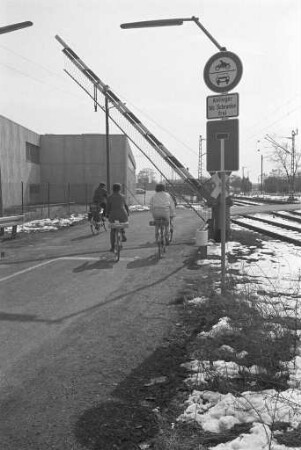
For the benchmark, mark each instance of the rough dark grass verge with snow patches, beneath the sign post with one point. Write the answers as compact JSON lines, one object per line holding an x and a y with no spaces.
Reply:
{"x":258,"y":338}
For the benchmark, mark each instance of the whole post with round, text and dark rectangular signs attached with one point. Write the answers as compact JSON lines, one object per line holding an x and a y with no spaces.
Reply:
{"x":222,"y":73}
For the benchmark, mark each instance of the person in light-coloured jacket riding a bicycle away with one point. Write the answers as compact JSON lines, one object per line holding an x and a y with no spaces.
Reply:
{"x":162,"y":207}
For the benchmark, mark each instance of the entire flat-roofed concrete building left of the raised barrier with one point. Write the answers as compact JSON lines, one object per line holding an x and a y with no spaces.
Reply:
{"x":38,"y":169}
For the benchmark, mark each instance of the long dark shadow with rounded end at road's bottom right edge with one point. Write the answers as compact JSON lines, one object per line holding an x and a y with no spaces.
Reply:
{"x":131,"y":416}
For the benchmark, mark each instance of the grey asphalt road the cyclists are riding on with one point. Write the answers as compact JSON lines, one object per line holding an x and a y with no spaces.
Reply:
{"x":74,"y":324}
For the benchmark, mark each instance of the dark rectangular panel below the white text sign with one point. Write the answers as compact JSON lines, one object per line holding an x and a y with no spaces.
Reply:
{"x":226,"y":130}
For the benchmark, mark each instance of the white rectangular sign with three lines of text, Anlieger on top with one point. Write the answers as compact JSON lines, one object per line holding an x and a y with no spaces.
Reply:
{"x":221,"y":106}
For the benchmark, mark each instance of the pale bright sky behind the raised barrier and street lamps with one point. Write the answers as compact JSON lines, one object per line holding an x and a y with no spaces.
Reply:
{"x":158,"y":72}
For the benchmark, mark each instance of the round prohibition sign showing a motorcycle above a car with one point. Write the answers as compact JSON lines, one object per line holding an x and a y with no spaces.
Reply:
{"x":223,"y":72}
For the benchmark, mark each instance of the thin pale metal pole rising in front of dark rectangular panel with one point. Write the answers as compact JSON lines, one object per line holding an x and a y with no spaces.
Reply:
{"x":223,"y":218}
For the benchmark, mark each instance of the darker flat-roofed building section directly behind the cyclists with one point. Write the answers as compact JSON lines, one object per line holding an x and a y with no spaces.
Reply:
{"x":74,"y":165}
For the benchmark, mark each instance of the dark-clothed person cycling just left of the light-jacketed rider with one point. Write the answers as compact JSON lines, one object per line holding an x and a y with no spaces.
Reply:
{"x":117,"y":209}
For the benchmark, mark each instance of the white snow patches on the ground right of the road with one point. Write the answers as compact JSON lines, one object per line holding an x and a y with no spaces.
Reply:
{"x":266,"y":266}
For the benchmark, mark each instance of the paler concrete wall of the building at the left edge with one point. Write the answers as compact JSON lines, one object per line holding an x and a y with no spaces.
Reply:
{"x":16,"y":169}
